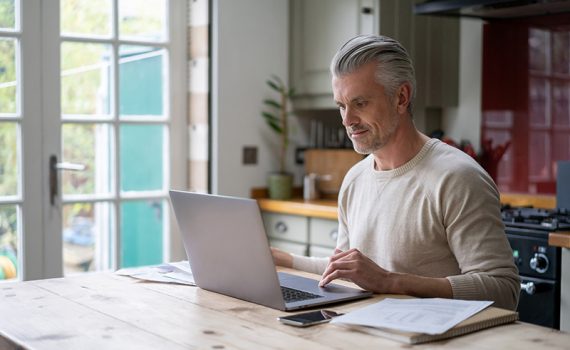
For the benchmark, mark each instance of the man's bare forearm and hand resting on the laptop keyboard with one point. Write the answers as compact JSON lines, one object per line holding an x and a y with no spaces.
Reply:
{"x":364,"y":272}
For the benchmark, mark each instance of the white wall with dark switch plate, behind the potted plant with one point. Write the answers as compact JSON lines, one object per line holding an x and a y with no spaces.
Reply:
{"x":250,"y":42}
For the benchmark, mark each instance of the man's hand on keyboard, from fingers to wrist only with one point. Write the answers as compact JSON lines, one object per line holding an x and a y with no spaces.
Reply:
{"x":358,"y":268}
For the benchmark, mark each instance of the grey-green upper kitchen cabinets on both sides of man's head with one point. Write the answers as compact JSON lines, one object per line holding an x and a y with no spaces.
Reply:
{"x":319,"y":27}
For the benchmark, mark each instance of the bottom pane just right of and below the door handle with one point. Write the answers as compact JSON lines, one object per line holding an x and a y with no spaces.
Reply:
{"x":87,"y":237}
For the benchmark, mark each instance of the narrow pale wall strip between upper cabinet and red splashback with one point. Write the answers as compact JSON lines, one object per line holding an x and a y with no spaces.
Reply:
{"x":464,"y":122}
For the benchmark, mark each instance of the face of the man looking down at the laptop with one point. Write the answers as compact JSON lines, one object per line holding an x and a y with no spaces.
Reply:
{"x":368,"y":115}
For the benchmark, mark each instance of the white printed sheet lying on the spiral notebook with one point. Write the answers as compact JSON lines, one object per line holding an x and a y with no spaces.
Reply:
{"x":430,"y":315}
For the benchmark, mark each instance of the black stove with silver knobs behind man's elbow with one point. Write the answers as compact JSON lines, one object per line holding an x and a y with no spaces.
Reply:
{"x":539,"y":264}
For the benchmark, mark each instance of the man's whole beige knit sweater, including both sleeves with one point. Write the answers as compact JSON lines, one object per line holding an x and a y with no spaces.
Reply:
{"x":437,"y":215}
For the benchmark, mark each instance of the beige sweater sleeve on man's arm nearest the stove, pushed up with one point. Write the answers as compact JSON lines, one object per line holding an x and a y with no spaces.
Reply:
{"x":476,"y":236}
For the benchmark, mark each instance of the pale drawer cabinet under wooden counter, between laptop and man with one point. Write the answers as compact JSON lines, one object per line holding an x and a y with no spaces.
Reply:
{"x":301,"y":235}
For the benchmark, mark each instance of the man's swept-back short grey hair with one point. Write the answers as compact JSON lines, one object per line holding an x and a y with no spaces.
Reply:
{"x":394,"y":67}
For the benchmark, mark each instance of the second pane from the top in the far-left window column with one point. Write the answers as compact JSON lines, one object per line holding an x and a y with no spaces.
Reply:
{"x":7,"y":76}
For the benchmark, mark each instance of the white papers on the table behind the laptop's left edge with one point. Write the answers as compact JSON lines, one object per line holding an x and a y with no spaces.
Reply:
{"x":176,"y":272}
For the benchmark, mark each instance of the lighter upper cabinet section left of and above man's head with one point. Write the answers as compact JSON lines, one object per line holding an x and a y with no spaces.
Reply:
{"x":318,"y":28}
